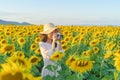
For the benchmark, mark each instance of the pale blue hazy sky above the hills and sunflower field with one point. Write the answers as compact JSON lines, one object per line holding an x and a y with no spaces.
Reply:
{"x":62,"y":12}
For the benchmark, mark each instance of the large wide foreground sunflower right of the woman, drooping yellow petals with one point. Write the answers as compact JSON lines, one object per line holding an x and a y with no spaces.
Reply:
{"x":81,"y":66}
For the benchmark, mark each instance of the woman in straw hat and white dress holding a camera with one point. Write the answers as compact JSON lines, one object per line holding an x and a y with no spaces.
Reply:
{"x":49,"y":44}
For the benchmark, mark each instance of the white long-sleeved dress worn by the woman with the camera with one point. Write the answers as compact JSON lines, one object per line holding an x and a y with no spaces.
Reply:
{"x":46,"y":51}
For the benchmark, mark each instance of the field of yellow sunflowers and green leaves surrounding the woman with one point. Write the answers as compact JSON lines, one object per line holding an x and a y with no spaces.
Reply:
{"x":91,"y":53}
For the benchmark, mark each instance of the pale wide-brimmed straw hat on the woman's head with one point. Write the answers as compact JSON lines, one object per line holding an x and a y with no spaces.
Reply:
{"x":48,"y":28}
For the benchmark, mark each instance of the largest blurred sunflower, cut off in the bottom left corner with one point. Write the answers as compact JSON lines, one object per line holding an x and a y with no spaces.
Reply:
{"x":10,"y":71}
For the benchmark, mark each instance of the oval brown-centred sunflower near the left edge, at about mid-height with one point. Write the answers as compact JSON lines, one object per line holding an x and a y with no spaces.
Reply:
{"x":7,"y":48}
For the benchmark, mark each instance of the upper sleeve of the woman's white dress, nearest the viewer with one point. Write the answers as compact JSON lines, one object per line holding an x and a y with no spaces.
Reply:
{"x":46,"y":53}
